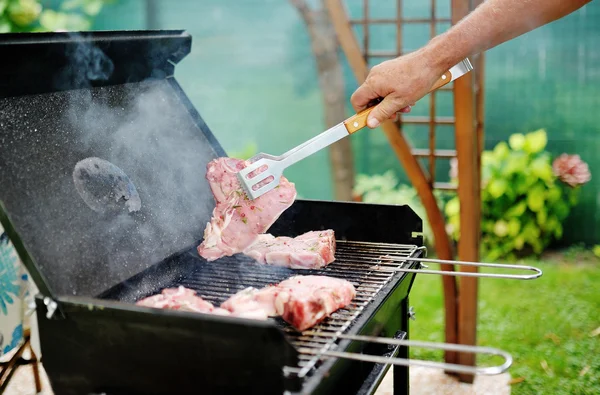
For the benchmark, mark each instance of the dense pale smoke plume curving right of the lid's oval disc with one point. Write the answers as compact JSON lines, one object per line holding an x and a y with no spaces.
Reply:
{"x":153,"y":141}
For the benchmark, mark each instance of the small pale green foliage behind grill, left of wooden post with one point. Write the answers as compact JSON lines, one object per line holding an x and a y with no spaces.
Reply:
{"x":384,"y":189}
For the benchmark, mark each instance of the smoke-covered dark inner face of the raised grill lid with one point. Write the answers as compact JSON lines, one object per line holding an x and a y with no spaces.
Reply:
{"x":142,"y":129}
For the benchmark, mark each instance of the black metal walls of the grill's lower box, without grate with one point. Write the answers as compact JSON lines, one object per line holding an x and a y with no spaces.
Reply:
{"x":101,"y":325}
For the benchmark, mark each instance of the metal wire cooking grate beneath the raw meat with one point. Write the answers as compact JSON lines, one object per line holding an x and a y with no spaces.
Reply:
{"x":216,"y":281}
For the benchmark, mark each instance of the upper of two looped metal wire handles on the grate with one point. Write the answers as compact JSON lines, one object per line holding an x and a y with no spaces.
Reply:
{"x":537,"y":272}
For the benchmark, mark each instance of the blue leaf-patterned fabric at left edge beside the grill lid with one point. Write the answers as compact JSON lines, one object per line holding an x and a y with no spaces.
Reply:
{"x":13,"y":291}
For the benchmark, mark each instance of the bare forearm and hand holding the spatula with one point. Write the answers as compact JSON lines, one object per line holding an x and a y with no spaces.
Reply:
{"x":406,"y":79}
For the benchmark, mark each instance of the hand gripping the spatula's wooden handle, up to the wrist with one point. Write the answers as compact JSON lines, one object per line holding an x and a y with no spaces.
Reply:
{"x":400,"y":82}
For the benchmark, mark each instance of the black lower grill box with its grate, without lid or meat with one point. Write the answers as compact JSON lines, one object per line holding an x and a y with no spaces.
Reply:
{"x":107,"y":344}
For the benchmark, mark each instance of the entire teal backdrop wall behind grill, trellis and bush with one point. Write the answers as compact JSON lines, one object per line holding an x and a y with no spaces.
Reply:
{"x":252,"y":76}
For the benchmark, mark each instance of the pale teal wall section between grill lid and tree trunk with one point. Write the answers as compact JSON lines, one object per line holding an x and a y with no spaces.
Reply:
{"x":251,"y":75}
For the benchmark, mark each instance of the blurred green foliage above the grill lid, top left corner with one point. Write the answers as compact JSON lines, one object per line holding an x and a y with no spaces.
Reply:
{"x":38,"y":16}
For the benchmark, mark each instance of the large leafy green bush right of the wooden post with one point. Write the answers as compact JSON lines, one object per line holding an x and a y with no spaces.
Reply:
{"x":523,"y":203}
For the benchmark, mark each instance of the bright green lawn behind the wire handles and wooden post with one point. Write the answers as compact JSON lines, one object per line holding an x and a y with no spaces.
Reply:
{"x":546,"y":324}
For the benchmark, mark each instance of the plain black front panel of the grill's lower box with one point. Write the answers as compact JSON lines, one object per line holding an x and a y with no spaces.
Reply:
{"x":99,"y":348}
